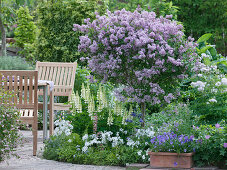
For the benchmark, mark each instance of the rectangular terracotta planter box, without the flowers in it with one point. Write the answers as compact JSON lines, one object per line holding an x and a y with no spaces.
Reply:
{"x":171,"y":160}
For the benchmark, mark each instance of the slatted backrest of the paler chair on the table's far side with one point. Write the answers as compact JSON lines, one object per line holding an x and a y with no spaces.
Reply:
{"x":62,"y":74}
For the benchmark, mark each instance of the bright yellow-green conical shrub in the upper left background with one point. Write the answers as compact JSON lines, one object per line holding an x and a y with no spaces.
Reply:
{"x":25,"y":31}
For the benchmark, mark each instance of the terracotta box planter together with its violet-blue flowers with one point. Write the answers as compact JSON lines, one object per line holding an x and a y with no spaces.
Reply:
{"x":172,"y":151}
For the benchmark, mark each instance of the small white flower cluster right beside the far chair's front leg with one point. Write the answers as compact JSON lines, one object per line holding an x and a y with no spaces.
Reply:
{"x":63,"y":127}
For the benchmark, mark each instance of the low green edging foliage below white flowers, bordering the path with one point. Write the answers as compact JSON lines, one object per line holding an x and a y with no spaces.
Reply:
{"x":70,"y":149}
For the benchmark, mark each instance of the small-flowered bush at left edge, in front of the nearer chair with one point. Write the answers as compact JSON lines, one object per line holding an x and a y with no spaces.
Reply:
{"x":9,"y":135}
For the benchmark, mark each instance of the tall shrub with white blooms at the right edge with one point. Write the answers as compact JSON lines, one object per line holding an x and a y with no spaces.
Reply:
{"x":209,"y":92}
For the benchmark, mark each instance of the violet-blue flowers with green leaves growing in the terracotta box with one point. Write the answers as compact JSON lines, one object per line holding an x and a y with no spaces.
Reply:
{"x":170,"y":142}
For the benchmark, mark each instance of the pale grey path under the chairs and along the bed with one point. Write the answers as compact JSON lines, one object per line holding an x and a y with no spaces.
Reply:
{"x":28,"y":162}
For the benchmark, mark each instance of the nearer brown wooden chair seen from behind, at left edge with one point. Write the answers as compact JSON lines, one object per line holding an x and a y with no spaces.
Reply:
{"x":24,"y":84}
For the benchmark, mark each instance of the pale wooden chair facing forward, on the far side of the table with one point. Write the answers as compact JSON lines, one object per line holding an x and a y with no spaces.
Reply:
{"x":63,"y":76}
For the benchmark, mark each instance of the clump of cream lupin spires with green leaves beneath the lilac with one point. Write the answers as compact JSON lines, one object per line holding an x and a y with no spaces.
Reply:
{"x":95,"y":108}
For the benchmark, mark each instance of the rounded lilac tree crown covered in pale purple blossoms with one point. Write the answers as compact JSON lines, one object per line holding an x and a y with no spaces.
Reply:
{"x":136,"y":49}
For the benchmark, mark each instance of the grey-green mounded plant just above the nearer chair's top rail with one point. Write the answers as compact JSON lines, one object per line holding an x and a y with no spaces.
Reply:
{"x":14,"y":63}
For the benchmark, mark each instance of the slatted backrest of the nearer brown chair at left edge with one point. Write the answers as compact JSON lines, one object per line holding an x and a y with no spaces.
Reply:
{"x":24,"y":86}
